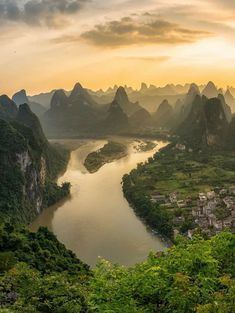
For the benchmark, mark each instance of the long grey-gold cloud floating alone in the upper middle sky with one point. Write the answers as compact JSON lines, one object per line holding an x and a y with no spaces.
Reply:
{"x":141,"y":30}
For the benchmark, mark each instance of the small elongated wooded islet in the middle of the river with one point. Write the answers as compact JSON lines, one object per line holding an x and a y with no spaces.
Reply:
{"x":110,"y":152}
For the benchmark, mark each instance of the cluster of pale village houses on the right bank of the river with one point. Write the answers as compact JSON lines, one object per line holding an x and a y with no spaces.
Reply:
{"x":211,"y":212}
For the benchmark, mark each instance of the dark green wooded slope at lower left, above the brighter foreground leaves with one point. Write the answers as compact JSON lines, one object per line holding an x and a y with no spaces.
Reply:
{"x":40,"y":250}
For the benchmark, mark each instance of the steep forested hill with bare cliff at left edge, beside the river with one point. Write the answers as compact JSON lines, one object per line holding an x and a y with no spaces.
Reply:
{"x":28,"y":164}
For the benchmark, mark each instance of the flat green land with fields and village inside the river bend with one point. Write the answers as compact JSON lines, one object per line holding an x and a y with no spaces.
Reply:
{"x":190,"y":191}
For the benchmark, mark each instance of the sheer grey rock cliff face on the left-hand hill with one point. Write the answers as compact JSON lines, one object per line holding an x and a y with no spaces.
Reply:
{"x":23,"y":171}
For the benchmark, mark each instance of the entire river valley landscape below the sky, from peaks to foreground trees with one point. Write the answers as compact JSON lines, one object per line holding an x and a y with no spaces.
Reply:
{"x":130,"y":214}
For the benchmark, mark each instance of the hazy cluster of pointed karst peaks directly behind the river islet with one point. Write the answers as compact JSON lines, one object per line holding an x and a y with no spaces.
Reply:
{"x":79,"y":114}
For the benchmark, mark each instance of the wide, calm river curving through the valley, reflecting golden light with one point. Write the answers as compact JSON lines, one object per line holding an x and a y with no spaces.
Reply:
{"x":96,"y":220}
